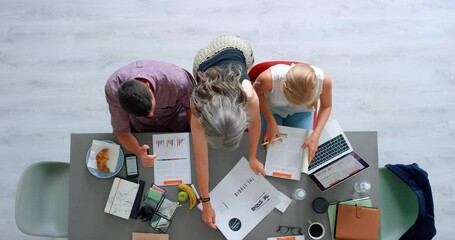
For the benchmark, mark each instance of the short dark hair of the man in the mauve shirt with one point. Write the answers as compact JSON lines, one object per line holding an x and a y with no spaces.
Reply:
{"x":135,"y":98}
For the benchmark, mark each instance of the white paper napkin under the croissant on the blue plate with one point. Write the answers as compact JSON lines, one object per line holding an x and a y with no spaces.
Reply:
{"x":97,"y":146}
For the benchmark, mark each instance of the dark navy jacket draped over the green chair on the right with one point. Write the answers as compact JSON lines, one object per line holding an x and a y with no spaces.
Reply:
{"x":424,"y":227}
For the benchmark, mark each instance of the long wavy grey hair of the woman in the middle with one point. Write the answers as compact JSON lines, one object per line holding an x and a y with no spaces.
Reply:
{"x":220,"y":105}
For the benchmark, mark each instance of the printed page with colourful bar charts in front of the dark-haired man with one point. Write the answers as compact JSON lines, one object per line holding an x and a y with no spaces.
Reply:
{"x":172,"y":165}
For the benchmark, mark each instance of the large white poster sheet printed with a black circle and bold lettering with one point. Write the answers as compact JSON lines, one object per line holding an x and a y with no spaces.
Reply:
{"x":241,"y":200}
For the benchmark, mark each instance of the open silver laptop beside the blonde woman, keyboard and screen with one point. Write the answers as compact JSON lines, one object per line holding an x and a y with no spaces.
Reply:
{"x":335,"y":160}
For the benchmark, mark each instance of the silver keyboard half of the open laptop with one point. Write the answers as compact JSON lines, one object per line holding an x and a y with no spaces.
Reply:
{"x":333,"y":144}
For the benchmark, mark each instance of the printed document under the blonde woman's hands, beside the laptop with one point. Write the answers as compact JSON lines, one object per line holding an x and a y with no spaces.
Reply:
{"x":285,"y":158}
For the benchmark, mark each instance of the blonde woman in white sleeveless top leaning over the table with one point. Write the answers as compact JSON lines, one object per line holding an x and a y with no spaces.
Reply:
{"x":288,"y":95}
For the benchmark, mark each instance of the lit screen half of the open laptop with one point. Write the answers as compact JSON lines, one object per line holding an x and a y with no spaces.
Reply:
{"x":338,"y":171}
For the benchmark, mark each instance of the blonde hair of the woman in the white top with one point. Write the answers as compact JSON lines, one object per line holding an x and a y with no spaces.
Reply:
{"x":301,"y":86}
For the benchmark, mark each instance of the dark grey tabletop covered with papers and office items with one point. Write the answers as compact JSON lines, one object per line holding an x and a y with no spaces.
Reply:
{"x":88,"y":194}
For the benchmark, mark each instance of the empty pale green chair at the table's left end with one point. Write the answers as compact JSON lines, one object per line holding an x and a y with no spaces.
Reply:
{"x":42,"y":199}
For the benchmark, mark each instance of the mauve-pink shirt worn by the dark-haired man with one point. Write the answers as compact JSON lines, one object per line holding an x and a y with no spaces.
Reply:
{"x":172,"y":90}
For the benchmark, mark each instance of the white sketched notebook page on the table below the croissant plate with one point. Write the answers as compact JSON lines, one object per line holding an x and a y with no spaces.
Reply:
{"x":121,"y":198}
